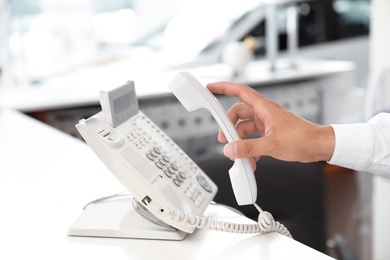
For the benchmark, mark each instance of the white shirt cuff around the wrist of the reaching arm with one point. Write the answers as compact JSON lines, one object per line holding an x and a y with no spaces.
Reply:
{"x":353,"y":146}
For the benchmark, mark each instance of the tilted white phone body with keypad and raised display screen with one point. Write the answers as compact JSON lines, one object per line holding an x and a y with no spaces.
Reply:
{"x":146,"y":161}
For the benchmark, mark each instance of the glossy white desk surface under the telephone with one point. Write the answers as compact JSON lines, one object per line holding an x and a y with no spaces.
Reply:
{"x":46,"y":177}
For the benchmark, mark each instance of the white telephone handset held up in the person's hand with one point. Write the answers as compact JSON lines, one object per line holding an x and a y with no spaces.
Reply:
{"x":193,"y":95}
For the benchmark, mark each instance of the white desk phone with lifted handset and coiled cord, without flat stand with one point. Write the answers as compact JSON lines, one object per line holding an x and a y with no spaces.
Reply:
{"x":161,"y":177}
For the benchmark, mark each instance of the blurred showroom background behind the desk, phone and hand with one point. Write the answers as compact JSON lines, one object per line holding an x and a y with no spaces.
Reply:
{"x":325,"y":60}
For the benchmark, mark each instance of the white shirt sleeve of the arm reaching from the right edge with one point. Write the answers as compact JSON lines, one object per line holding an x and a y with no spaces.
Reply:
{"x":364,"y":146}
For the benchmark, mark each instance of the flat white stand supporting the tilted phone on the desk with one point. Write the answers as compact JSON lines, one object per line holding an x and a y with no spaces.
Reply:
{"x":120,"y":219}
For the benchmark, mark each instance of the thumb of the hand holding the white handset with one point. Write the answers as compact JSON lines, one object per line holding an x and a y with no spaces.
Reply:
{"x":245,"y":148}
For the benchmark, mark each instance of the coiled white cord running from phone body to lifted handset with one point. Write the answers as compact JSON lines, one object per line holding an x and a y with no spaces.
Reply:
{"x":266,"y":223}
